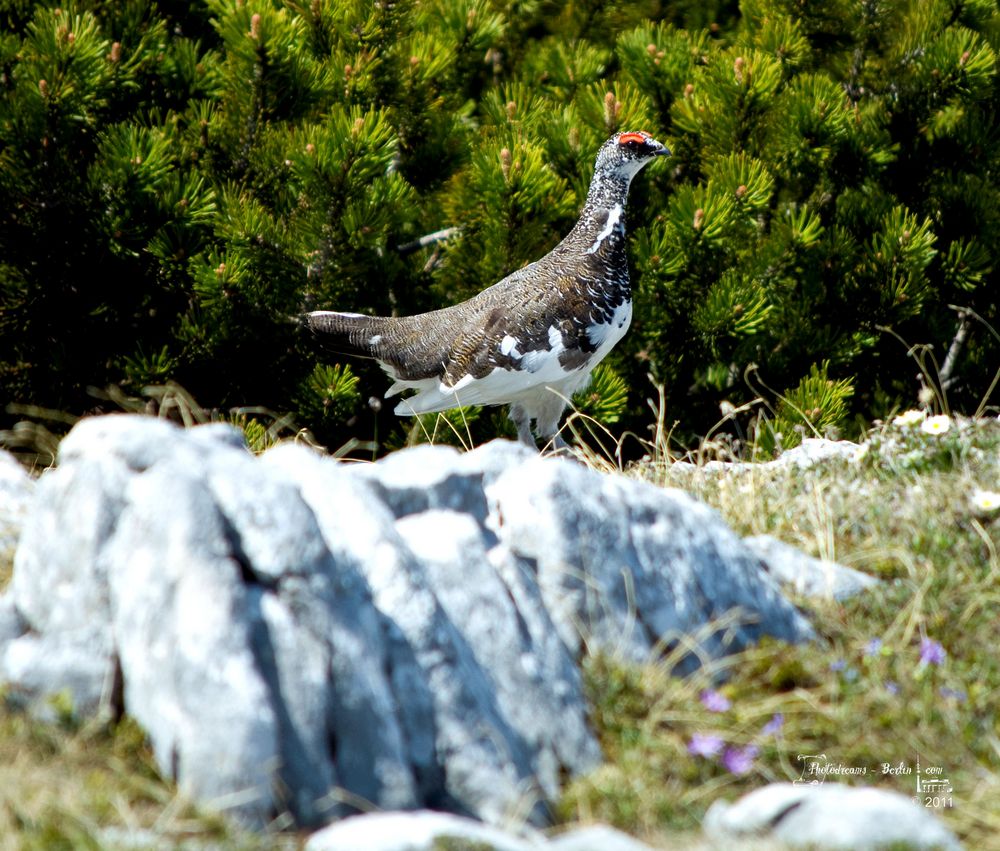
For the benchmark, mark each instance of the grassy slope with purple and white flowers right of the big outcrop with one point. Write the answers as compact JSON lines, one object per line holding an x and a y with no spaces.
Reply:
{"x":861,"y":695}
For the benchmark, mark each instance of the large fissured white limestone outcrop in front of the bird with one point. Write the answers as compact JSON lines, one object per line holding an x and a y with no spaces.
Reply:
{"x":297,"y":635}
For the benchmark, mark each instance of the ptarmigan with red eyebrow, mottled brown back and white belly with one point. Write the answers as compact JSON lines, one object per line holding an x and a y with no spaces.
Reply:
{"x":529,"y":341}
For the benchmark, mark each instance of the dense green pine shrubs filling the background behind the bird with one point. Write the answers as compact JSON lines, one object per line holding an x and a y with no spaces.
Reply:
{"x":177,"y":179}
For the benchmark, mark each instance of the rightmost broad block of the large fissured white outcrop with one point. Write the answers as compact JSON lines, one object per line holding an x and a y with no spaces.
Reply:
{"x":626,"y":567}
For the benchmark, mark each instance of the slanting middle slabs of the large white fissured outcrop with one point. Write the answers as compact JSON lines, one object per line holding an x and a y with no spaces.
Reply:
{"x":463,"y":663}
